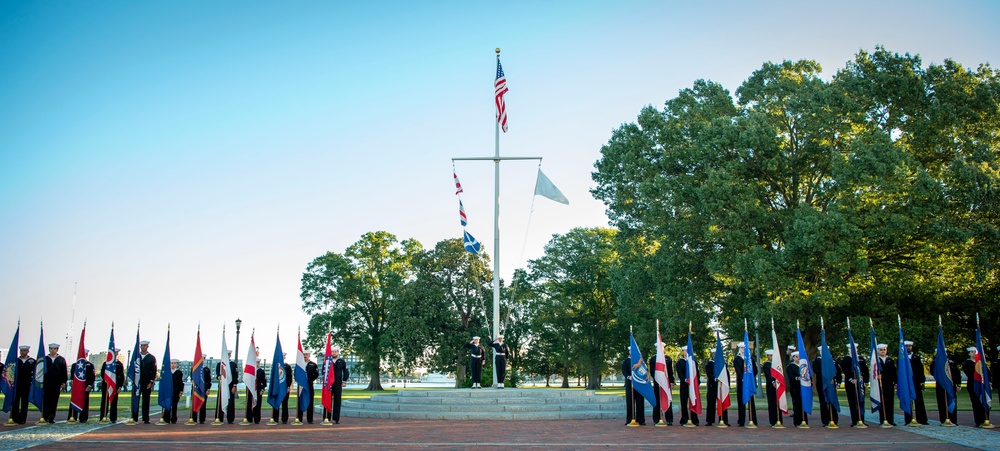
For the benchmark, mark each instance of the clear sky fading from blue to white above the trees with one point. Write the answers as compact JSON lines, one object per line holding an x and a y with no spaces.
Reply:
{"x":182,"y":162}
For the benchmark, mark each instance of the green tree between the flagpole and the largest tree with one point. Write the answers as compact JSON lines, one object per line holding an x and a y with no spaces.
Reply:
{"x":577,"y":305}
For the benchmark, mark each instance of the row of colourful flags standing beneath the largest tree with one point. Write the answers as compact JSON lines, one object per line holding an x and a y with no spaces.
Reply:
{"x":906,"y":391}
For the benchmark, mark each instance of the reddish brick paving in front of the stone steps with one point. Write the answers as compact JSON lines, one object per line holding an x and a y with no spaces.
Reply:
{"x":358,"y":434}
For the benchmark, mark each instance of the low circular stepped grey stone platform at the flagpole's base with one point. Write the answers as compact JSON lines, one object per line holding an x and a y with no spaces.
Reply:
{"x":488,"y":404}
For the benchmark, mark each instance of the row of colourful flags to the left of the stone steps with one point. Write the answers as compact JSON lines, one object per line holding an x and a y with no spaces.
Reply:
{"x":276,"y":394}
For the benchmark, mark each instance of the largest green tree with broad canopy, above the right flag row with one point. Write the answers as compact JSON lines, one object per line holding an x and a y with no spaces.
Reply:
{"x":865,"y":195}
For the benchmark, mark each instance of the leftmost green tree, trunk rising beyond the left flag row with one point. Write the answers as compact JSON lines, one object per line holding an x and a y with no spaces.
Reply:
{"x":361,"y":292}
